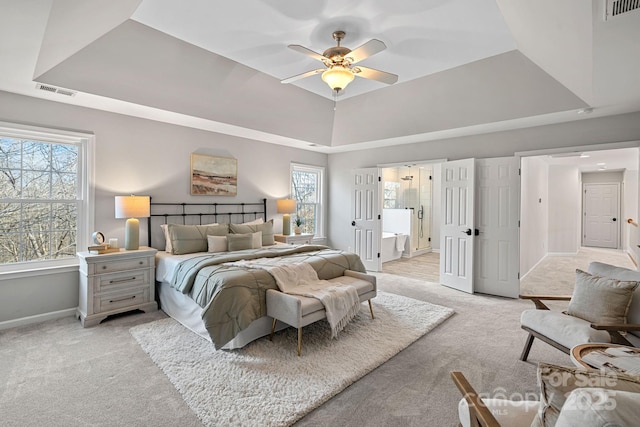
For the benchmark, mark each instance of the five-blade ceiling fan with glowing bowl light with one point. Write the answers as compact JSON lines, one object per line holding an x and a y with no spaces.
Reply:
{"x":339,"y":61}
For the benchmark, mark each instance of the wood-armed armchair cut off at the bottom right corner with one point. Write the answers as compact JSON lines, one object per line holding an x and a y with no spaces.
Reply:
{"x":568,"y":397}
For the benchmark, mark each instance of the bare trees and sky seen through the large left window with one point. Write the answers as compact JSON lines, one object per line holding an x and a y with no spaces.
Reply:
{"x":38,"y":200}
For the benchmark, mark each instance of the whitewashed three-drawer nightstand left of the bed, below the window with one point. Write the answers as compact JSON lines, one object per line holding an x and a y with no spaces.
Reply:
{"x":114,"y":283}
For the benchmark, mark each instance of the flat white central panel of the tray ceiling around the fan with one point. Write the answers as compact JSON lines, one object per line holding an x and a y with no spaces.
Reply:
{"x":422,"y":37}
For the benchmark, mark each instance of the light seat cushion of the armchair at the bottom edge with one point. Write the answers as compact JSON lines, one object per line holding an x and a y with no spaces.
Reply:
{"x":506,"y":412}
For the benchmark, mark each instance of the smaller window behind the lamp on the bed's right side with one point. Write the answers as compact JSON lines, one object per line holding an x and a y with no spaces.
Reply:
{"x":307,"y":191}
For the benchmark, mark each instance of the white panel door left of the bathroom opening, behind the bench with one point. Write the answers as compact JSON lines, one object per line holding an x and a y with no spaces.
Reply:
{"x":365,"y":222}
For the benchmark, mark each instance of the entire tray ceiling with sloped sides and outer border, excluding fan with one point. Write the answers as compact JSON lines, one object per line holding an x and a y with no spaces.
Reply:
{"x":464,"y":66}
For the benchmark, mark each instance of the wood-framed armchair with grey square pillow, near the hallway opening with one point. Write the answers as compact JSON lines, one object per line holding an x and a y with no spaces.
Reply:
{"x":605,"y":307}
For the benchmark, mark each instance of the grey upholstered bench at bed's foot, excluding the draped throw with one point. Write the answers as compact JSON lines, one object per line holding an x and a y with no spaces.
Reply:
{"x":299,"y":311}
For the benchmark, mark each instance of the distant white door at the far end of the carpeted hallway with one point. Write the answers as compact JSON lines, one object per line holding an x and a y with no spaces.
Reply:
{"x":601,"y":212}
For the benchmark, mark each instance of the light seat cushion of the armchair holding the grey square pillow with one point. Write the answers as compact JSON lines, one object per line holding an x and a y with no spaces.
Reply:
{"x":566,"y":330}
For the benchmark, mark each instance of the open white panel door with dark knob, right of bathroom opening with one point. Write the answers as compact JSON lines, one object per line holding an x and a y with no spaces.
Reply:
{"x":456,"y":234}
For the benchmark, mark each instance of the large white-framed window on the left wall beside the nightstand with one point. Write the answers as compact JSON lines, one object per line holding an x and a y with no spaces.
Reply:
{"x":44,"y":189}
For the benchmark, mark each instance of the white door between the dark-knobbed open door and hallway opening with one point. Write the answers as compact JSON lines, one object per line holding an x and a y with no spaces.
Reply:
{"x":496,"y":218}
